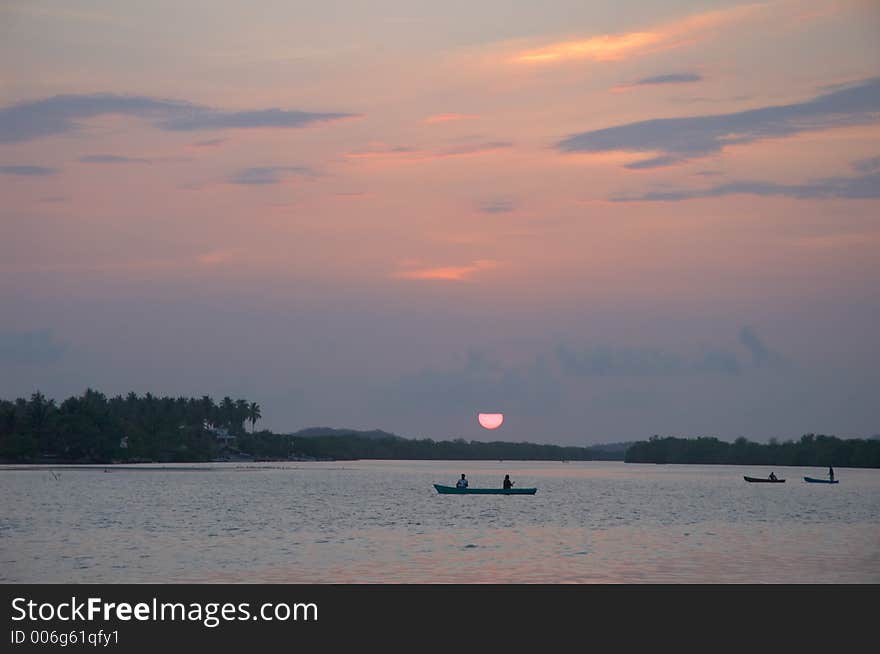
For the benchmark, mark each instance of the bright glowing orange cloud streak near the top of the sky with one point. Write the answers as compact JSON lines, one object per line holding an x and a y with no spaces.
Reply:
{"x":612,"y":47}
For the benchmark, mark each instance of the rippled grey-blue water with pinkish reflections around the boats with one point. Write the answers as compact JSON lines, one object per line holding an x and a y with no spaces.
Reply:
{"x":383,"y":522}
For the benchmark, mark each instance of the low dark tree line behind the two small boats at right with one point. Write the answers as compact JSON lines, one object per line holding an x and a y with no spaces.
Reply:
{"x":811,"y":450}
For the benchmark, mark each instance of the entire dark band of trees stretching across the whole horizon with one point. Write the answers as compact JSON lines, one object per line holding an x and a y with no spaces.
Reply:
{"x":92,"y":428}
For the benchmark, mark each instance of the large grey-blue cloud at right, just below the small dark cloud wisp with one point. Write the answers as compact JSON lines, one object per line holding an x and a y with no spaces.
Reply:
{"x":695,"y":136}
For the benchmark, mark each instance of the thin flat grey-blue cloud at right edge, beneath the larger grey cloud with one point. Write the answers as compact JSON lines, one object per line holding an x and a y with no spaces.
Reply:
{"x":865,"y":187}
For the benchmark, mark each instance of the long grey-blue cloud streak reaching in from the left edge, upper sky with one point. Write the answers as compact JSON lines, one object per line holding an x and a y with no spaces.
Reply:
{"x":59,"y":114}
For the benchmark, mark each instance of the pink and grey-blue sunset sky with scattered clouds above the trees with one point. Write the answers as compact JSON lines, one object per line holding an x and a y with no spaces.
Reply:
{"x":605,"y":220}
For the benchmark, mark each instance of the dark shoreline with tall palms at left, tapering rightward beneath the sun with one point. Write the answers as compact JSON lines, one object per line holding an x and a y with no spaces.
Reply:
{"x":92,"y":428}
